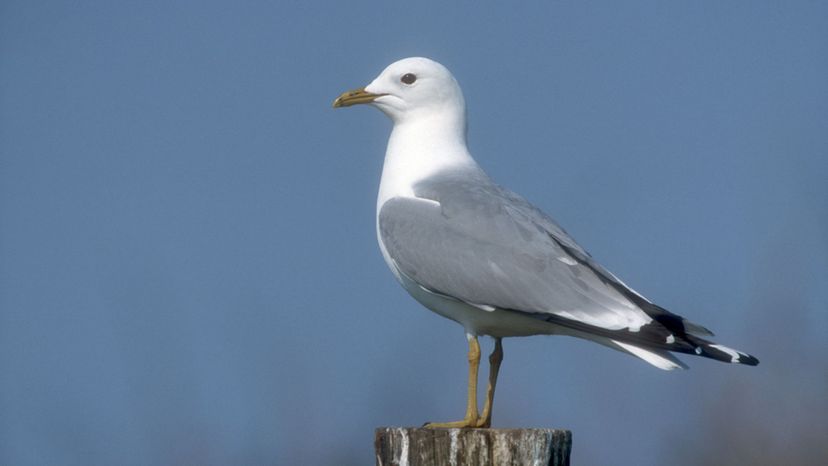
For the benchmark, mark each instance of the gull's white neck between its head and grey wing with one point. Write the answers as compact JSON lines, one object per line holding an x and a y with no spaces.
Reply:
{"x":421,"y":147}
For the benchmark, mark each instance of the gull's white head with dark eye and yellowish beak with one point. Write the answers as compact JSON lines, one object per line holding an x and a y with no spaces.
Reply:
{"x":410,"y":89}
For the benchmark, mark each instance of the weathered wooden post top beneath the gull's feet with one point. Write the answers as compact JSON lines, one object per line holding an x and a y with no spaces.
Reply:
{"x":410,"y":446}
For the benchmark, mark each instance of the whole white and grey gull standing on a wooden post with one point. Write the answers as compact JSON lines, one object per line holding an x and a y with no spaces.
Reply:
{"x":484,"y":257}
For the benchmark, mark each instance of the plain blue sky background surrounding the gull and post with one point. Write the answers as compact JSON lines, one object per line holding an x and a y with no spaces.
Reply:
{"x":188,"y":263}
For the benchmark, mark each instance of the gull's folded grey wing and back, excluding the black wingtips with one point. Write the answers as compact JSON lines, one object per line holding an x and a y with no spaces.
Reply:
{"x":467,"y":238}
